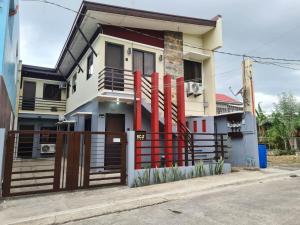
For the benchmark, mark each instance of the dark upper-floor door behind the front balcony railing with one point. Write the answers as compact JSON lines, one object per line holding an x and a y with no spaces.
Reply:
{"x":114,"y":63}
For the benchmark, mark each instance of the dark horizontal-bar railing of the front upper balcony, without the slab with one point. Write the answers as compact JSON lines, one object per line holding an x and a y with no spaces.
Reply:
{"x":115,"y":80}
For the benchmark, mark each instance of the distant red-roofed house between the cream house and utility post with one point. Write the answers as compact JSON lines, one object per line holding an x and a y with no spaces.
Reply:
{"x":226,"y":104}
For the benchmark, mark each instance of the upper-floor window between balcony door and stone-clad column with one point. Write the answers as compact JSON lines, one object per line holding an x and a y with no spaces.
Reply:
{"x":144,"y":62}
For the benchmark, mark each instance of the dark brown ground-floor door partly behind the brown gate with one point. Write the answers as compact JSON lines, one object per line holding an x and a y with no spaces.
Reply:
{"x":114,"y":123}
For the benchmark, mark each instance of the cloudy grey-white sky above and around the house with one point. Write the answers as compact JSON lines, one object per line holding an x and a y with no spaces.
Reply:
{"x":268,"y":28}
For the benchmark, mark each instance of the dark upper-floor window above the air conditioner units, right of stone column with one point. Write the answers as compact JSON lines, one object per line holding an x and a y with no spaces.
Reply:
{"x":192,"y":71}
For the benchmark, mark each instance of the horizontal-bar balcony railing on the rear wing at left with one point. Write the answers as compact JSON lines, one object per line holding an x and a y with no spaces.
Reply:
{"x":40,"y":104}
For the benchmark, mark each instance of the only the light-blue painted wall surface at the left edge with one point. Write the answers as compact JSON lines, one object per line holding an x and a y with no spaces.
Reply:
{"x":9,"y":47}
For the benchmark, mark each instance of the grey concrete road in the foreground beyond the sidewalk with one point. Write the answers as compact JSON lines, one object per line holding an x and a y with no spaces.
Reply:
{"x":270,"y":202}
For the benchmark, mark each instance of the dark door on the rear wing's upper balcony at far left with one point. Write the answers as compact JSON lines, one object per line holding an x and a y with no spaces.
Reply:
{"x":28,"y":100}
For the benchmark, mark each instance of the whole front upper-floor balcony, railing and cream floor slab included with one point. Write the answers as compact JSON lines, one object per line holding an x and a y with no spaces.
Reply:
{"x":116,"y":83}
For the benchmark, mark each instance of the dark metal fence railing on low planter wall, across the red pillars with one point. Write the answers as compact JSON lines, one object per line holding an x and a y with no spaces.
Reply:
{"x":205,"y":147}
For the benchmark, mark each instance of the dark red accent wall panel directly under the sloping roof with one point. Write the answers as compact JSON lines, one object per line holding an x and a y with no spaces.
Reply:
{"x":135,"y":36}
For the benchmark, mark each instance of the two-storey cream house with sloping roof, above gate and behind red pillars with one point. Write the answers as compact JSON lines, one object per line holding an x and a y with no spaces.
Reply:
{"x":94,"y":73}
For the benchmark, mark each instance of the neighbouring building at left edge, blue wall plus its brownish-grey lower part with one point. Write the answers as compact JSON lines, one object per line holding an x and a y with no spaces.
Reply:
{"x":9,"y":58}
